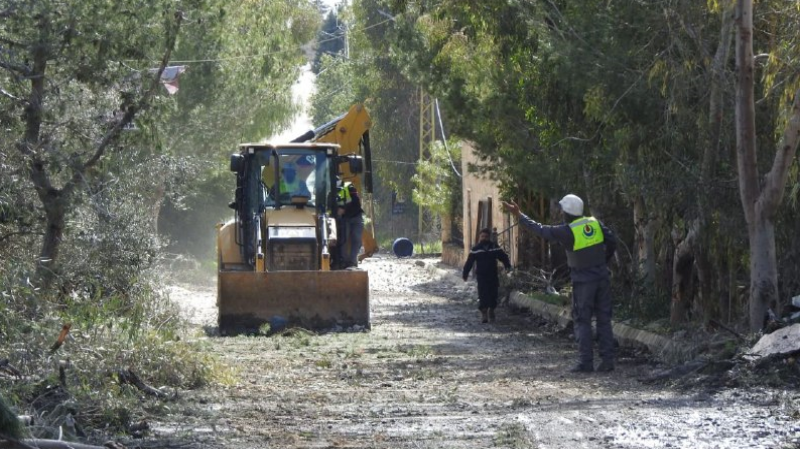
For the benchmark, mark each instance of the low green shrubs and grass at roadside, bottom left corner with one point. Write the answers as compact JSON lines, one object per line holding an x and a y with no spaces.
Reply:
{"x":108,"y":333}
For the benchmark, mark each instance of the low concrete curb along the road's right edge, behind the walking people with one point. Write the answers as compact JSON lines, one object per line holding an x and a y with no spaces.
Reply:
{"x":626,"y":335}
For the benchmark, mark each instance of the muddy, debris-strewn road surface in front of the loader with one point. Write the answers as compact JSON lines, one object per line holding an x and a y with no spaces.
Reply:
{"x":429,"y":374}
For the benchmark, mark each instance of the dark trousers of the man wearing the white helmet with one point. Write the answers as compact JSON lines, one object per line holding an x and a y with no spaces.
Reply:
{"x":589,"y":299}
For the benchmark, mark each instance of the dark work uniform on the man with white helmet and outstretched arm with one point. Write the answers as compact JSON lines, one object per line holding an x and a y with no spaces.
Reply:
{"x":591,"y":295}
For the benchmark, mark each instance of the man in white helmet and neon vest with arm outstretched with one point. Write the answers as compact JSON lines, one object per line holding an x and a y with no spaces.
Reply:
{"x":590,"y":245}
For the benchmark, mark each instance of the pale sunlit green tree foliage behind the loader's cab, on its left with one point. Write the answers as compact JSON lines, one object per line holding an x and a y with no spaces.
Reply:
{"x":237,"y":89}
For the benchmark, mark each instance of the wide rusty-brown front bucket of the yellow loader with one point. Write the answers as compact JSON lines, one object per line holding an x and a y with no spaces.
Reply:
{"x":308,"y":299}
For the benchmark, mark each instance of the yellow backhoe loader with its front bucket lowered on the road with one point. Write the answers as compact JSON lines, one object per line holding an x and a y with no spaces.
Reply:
{"x":275,"y":258}
